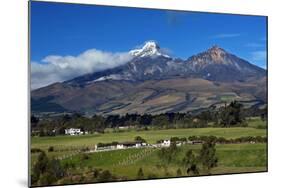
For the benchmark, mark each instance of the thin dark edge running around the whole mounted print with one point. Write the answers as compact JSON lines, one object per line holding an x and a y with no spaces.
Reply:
{"x":146,"y":8}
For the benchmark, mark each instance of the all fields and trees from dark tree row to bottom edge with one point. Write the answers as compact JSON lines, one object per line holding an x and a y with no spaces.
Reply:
{"x":227,"y":139}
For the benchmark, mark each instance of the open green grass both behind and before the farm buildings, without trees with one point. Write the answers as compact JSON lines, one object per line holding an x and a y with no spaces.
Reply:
{"x":124,"y":164}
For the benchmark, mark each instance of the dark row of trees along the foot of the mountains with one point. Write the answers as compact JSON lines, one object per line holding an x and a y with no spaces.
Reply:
{"x":227,"y":116}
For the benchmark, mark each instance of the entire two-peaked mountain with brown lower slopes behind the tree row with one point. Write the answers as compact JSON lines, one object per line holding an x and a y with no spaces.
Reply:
{"x":153,"y":82}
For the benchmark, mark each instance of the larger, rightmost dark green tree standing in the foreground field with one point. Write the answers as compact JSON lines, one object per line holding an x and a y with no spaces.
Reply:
{"x":208,"y":155}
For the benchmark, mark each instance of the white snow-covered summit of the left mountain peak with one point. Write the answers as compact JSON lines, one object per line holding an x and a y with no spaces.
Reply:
{"x":150,"y":48}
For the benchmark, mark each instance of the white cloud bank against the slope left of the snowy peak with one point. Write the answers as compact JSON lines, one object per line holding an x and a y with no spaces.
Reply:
{"x":56,"y":68}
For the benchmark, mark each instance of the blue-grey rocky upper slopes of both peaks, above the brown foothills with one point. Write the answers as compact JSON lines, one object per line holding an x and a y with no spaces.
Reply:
{"x":150,"y":63}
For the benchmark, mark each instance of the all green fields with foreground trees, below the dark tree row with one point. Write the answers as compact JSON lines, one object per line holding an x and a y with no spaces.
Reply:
{"x":233,"y":152}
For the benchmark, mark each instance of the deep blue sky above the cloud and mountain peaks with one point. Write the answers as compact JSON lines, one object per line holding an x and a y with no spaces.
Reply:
{"x":67,"y":30}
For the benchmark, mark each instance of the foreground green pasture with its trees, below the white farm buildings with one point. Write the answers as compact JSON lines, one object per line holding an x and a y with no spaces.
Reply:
{"x":145,"y":163}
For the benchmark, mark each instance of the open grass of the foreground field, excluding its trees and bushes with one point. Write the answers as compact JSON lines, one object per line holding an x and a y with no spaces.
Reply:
{"x":233,"y":158}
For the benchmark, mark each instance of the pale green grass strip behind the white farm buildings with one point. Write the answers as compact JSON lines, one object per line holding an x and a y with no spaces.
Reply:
{"x":151,"y":136}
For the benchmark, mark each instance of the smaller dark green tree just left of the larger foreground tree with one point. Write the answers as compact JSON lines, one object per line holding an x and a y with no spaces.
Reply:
{"x":190,"y":162}
